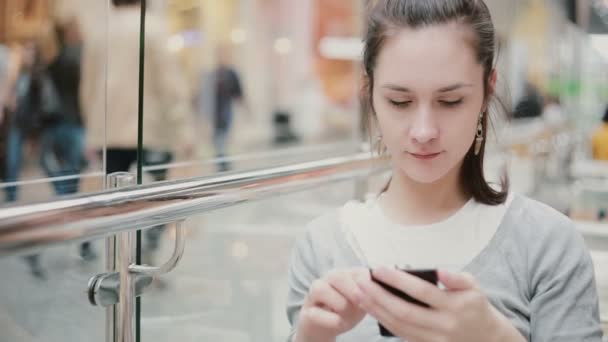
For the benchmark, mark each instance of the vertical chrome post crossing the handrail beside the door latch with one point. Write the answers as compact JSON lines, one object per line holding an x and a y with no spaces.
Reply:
{"x":113,"y":331}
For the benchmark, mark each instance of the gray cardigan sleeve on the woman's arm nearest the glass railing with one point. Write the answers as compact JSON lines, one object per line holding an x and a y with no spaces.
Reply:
{"x":303,"y":270}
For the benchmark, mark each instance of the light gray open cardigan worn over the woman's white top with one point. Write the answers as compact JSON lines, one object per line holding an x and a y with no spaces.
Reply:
{"x":536,"y":271}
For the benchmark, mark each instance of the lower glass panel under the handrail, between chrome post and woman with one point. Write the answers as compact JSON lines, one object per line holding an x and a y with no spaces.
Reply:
{"x":231,"y":283}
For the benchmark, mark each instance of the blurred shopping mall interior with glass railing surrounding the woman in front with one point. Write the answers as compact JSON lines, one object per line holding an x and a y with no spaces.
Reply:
{"x":228,"y":126}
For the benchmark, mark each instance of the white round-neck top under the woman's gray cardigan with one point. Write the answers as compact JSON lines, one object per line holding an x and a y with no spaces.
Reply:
{"x":450,"y":244}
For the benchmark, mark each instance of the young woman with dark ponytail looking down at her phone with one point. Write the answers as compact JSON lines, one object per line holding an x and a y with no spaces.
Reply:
{"x":516,"y":269}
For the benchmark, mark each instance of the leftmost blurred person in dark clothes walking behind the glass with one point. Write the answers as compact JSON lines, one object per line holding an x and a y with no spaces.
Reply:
{"x":35,"y":101}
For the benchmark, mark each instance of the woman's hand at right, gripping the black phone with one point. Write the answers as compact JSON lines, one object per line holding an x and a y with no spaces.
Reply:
{"x":460,"y":313}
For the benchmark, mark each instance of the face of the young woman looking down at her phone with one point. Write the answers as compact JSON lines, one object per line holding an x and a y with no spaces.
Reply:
{"x":428,"y":96}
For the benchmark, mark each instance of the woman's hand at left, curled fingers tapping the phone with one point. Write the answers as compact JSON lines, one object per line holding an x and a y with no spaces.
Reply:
{"x":330,"y":308}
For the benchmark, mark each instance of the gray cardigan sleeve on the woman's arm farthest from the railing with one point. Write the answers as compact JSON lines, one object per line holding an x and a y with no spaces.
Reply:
{"x":564,"y":300}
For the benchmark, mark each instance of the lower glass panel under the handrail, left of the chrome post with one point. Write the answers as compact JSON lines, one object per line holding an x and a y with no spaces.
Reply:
{"x":49,"y":303}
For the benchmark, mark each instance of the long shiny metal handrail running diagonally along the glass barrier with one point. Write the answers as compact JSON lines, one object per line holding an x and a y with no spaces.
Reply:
{"x":27,"y":228}
